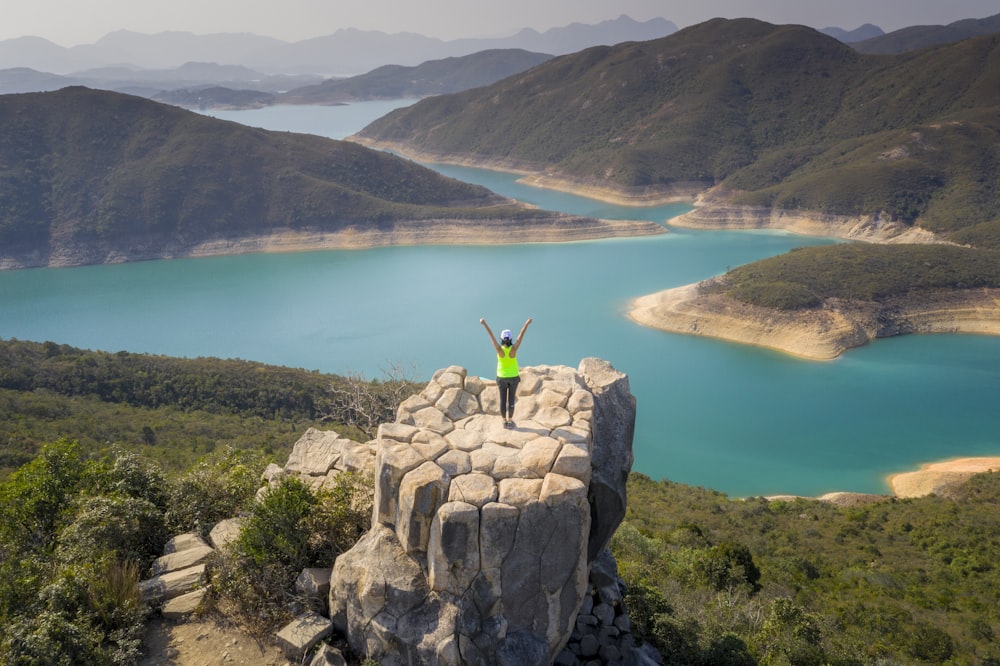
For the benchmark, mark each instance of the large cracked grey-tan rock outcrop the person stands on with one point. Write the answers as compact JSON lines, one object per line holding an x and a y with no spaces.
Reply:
{"x":483,"y":537}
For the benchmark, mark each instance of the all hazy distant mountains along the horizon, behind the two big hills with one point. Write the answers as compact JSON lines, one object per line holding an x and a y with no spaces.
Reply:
{"x":245,"y":70}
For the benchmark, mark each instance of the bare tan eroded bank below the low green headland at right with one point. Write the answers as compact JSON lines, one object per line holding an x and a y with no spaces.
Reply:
{"x":816,"y":333}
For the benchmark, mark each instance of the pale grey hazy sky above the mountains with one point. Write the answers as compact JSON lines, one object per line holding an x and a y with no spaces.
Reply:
{"x":72,"y":22}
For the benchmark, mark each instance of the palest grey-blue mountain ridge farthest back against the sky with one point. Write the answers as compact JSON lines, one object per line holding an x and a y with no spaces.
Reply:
{"x":347,"y":52}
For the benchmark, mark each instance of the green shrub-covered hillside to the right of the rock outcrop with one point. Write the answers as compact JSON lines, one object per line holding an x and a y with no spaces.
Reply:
{"x":715,"y":582}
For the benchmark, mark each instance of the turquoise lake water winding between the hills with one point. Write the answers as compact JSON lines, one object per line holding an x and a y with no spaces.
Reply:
{"x":742,"y":420}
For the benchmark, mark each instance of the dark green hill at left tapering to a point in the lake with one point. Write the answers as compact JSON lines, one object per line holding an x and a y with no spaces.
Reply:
{"x":91,"y":176}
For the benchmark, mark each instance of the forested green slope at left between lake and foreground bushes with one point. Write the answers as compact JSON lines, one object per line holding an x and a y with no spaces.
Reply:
{"x":175,"y":410}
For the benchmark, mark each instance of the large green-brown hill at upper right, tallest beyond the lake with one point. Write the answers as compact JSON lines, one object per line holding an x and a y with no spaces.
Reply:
{"x":779,"y":115}
